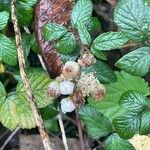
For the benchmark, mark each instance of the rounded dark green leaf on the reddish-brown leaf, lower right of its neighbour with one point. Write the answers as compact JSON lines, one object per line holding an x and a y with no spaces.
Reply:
{"x":67,"y":44}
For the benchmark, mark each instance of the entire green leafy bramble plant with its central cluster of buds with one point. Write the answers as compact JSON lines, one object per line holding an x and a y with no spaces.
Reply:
{"x":112,"y":103}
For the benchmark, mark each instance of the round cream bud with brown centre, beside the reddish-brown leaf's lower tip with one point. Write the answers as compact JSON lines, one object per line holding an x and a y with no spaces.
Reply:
{"x":71,"y":69}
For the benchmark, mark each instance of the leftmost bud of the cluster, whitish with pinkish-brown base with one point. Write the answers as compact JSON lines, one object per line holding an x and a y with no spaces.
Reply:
{"x":53,"y":89}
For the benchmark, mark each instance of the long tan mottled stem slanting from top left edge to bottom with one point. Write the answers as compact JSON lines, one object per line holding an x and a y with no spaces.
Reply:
{"x":29,"y":93}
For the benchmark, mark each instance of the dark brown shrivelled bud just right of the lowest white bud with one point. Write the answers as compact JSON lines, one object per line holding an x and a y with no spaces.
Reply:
{"x":78,"y":98}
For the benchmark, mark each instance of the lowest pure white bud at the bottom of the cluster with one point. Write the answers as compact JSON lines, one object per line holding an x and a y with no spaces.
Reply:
{"x":67,"y":105}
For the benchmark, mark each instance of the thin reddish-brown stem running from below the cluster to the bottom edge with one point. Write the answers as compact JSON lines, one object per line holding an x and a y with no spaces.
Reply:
{"x":80,"y":131}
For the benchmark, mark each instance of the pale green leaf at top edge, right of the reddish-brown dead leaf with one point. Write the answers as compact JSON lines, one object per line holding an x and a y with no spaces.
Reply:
{"x":81,"y":12}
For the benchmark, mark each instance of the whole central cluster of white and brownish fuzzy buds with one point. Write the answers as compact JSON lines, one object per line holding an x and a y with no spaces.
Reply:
{"x":76,"y":84}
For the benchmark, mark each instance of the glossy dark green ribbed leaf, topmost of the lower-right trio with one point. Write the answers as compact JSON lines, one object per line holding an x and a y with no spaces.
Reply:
{"x":132,"y":101}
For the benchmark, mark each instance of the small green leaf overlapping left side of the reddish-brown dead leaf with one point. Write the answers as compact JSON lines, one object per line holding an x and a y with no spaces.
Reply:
{"x":53,"y":31}
